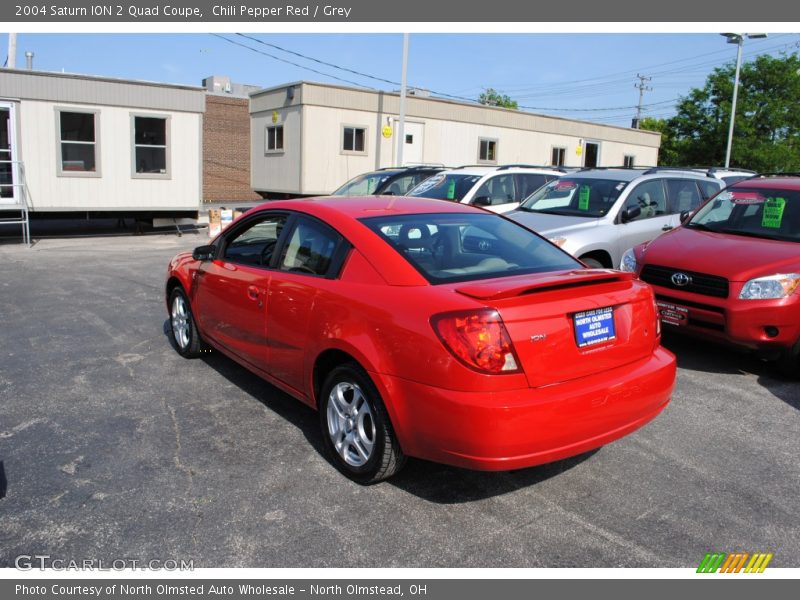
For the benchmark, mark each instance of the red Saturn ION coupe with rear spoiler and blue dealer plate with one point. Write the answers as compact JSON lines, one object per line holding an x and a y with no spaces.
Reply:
{"x":425,"y":328}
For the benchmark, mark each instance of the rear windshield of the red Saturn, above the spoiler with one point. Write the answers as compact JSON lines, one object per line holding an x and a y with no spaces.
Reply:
{"x":447,"y":247}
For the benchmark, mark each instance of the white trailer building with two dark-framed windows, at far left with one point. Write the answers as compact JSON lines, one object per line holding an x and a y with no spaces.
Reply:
{"x":96,"y":146}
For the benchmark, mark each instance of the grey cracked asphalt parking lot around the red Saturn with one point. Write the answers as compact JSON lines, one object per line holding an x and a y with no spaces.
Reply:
{"x":112,"y":446}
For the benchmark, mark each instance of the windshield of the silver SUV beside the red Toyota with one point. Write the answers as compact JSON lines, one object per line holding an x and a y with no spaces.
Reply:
{"x":591,"y":198}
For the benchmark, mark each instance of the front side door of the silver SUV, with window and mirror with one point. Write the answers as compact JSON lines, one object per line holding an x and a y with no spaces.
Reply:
{"x":653,"y":220}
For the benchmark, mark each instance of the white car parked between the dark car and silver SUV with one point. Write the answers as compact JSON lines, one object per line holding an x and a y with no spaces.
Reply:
{"x":499,"y":189}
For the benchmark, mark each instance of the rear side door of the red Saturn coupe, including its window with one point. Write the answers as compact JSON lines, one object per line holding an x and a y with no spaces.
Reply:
{"x":309,"y":263}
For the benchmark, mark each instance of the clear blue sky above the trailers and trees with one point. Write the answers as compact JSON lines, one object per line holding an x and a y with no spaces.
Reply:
{"x":575,"y":75}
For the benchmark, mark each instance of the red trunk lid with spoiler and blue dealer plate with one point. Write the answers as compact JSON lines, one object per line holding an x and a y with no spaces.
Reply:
{"x":570,"y":324}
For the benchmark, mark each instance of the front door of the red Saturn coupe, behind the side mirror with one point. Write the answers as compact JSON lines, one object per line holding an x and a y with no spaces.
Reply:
{"x":230,"y":295}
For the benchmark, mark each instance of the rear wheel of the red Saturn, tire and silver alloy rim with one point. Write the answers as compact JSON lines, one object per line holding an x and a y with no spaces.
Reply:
{"x":356,"y":430}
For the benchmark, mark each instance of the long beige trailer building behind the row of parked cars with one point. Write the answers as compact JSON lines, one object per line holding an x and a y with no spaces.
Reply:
{"x":309,"y":138}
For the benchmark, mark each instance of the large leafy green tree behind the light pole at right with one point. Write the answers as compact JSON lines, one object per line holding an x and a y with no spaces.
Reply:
{"x":766,"y":135}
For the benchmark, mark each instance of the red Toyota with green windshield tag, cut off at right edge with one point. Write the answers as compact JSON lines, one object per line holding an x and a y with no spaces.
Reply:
{"x":731,"y":272}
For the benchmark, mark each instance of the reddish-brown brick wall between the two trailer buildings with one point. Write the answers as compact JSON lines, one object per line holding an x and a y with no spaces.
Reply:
{"x":226,"y":150}
